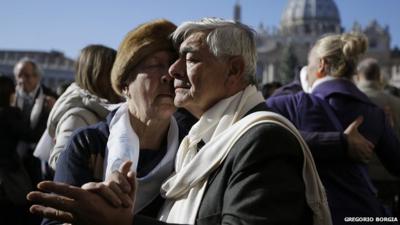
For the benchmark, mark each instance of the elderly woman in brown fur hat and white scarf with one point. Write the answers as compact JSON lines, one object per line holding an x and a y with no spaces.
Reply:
{"x":142,"y":129}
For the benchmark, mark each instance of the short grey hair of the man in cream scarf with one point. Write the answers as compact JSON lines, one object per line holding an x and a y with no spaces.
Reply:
{"x":225,"y":38}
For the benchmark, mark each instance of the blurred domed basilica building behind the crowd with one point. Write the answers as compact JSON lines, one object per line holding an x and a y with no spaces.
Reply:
{"x":305,"y":21}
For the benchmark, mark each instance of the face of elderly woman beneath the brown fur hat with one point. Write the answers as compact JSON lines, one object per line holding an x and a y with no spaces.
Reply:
{"x":151,"y":94}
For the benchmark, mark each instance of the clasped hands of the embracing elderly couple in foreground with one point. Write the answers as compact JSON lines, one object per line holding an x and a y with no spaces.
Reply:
{"x":108,"y":202}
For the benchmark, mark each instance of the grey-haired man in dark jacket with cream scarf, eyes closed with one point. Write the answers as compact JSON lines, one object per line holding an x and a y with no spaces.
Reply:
{"x":239,"y":164}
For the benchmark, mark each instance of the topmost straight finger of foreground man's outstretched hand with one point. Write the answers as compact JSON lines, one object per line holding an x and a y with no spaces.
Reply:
{"x":61,"y":188}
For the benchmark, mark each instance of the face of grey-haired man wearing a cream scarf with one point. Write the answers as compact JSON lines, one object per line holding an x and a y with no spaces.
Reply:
{"x":199,"y":76}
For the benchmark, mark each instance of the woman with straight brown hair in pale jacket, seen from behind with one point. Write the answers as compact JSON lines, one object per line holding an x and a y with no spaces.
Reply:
{"x":85,"y":101}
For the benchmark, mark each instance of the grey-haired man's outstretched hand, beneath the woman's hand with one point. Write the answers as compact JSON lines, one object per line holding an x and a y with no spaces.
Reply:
{"x":70,"y":204}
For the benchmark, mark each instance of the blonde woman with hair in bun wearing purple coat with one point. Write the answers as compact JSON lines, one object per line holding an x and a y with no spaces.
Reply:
{"x":333,"y":103}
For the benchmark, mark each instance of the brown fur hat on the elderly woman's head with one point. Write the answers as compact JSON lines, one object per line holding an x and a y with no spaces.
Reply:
{"x":139,"y":43}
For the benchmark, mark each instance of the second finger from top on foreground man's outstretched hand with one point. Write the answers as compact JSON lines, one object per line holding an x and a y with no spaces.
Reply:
{"x":52,"y":200}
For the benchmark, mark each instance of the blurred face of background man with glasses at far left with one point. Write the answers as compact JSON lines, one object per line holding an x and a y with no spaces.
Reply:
{"x":26,"y":77}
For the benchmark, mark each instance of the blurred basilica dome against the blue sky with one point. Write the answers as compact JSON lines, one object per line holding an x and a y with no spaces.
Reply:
{"x":310,"y":17}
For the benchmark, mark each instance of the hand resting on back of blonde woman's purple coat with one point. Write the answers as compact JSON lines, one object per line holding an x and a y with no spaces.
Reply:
{"x":359,"y":148}
